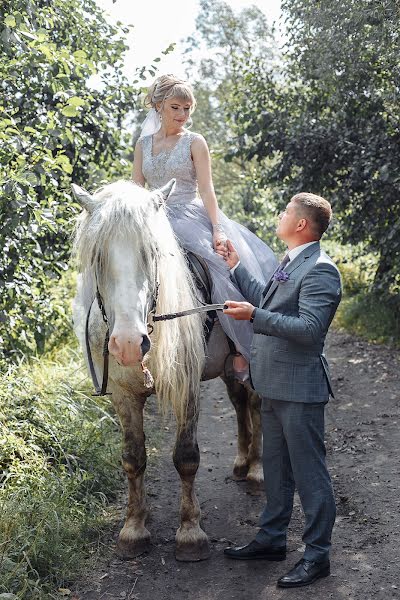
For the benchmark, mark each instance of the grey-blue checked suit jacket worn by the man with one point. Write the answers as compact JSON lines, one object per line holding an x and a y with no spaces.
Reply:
{"x":287,"y":360}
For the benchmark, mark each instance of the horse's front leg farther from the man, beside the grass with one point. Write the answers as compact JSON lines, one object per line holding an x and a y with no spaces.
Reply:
{"x":134,"y":538}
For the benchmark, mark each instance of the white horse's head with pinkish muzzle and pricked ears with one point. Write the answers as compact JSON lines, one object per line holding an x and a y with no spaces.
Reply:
{"x":118,"y":251}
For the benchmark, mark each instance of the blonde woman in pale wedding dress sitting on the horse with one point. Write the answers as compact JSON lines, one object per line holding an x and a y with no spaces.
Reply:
{"x":166,"y":150}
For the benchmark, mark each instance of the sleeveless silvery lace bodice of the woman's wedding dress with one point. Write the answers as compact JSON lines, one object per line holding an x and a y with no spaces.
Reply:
{"x":172,"y":163}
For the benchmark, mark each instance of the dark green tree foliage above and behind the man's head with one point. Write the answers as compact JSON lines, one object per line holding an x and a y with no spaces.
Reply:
{"x":329,"y":123}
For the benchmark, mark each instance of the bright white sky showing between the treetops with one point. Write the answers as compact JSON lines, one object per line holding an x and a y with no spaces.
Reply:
{"x":158,"y":23}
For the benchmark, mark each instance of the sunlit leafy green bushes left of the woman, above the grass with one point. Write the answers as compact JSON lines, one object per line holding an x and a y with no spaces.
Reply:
{"x":54,"y":127}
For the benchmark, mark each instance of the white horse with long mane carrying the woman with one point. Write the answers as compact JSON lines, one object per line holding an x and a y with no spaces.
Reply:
{"x":129,"y":255}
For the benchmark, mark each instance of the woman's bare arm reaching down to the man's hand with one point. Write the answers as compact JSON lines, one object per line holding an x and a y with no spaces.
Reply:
{"x":202,"y":164}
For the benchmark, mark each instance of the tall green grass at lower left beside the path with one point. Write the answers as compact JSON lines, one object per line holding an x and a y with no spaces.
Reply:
{"x":59,"y":465}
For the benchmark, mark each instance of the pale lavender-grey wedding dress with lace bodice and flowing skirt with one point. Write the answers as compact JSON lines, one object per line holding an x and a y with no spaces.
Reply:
{"x":192,"y":227}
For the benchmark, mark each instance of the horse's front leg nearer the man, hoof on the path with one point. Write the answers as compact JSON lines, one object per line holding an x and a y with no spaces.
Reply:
{"x":191,"y":541}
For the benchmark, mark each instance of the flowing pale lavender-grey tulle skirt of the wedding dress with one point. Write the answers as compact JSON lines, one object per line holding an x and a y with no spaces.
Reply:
{"x":192,"y":227}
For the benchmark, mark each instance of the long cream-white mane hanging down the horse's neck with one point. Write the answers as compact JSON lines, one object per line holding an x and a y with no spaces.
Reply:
{"x":176,"y":358}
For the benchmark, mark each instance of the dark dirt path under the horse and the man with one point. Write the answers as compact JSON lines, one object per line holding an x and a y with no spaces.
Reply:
{"x":363,"y":438}
